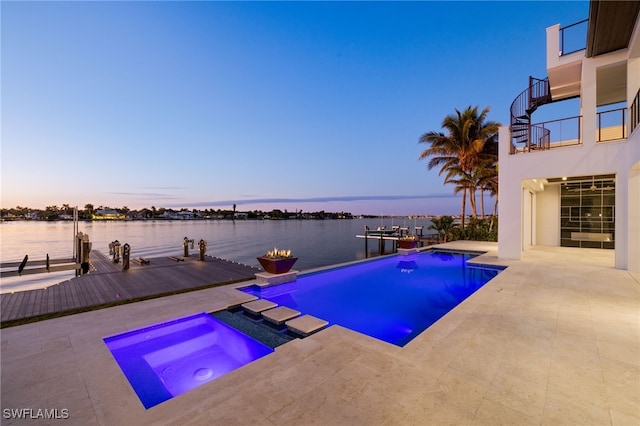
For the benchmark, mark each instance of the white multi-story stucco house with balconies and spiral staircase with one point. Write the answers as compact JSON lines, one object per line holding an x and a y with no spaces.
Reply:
{"x":575,"y":181}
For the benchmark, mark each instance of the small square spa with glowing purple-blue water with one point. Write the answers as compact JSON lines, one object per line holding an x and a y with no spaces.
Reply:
{"x":165,"y":360}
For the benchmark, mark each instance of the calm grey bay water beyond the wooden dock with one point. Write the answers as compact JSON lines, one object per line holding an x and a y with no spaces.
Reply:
{"x":316,"y":243}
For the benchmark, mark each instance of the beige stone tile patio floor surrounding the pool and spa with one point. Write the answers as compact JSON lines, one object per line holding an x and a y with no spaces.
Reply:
{"x":554,"y":339}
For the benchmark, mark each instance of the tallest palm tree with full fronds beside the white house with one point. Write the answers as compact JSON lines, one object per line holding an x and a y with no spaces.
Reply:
{"x":461,"y":150}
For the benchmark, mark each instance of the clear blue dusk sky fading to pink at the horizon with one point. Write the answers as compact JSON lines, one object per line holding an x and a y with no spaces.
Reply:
{"x":289,"y":105}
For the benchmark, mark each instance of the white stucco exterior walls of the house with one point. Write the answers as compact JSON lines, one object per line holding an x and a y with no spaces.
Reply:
{"x":621,"y":158}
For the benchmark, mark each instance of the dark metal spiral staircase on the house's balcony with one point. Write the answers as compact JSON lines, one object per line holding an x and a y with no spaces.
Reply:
{"x":524,"y":136}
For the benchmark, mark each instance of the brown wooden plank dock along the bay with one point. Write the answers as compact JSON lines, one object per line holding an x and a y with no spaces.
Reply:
{"x":107,"y":284}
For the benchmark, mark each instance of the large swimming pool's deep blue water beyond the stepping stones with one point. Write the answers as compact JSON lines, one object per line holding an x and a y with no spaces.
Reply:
{"x":393,"y":299}
